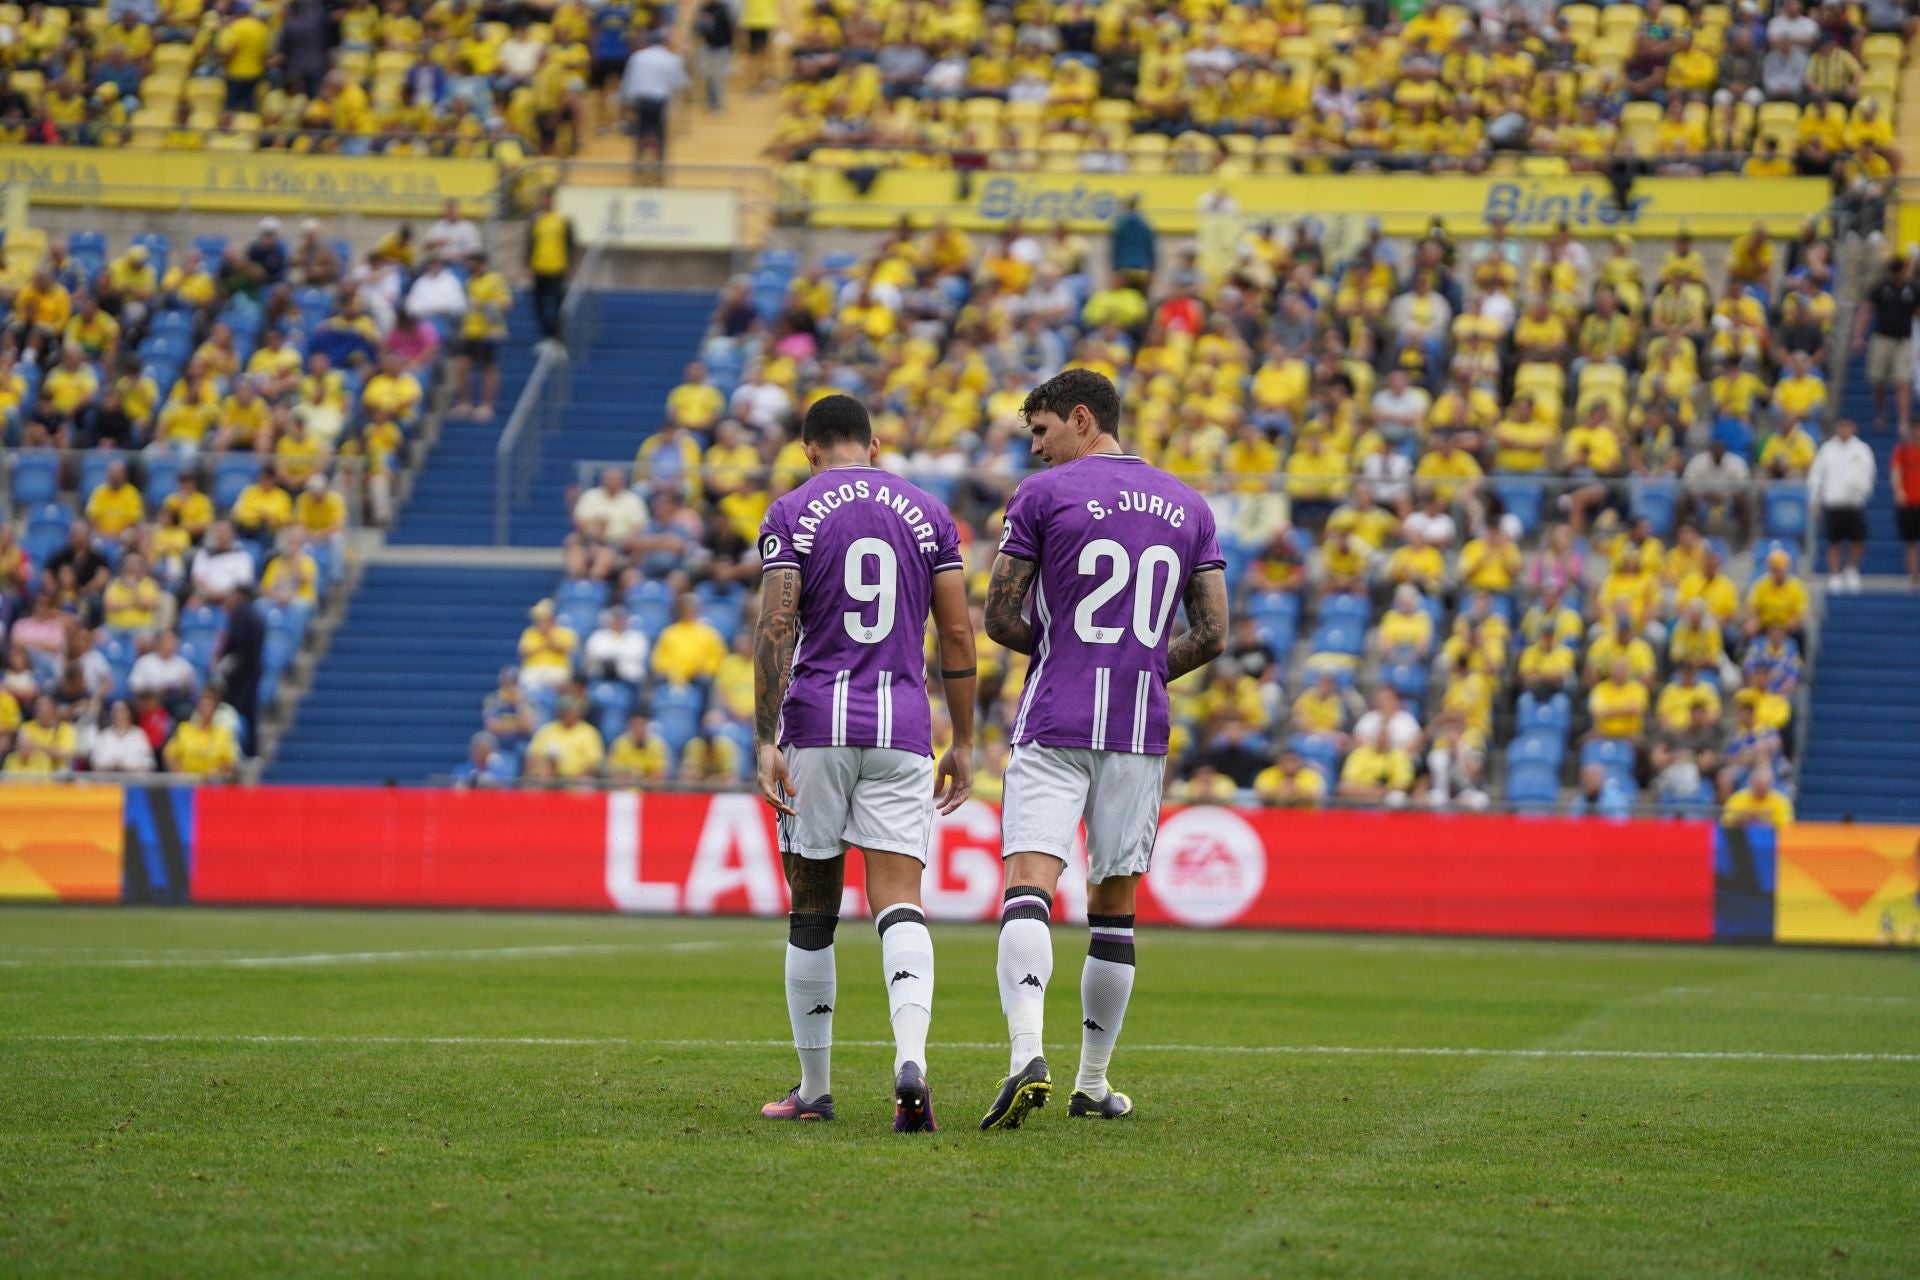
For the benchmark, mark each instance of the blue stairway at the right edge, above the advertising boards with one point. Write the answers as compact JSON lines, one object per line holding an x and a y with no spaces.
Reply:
{"x":1861,"y":747}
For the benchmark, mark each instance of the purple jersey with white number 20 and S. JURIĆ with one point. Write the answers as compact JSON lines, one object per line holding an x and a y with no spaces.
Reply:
{"x":1116,"y":544}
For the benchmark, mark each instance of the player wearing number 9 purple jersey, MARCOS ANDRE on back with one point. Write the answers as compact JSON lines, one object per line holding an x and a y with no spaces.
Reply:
{"x":852,"y":563}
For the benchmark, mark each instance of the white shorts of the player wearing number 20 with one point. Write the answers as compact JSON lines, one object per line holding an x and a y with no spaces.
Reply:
{"x":1051,"y":790}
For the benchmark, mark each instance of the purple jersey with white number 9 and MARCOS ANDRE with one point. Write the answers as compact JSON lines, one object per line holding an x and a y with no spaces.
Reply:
{"x":867,"y":546}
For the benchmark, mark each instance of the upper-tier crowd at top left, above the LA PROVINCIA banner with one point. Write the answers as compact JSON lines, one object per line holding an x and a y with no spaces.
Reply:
{"x":354,"y":78}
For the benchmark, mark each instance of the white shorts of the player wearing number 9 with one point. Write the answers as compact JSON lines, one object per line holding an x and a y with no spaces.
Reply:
{"x":863,"y":797}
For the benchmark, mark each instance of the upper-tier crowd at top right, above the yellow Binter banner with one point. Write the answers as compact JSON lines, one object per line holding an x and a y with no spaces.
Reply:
{"x":1694,"y":87}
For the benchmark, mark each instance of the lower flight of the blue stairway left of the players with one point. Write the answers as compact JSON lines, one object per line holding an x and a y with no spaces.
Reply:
{"x":398,"y":692}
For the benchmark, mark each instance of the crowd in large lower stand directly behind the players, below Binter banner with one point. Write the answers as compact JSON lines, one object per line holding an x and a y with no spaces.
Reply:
{"x":1483,"y":502}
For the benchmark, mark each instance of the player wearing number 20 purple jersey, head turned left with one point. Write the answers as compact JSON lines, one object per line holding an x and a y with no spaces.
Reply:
{"x":1095,"y":554}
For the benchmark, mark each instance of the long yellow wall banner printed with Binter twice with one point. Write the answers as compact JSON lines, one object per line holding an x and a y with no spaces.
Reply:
{"x":1406,"y":204}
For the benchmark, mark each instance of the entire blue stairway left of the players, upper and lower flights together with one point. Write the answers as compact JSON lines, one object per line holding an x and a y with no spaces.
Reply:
{"x":398,"y":692}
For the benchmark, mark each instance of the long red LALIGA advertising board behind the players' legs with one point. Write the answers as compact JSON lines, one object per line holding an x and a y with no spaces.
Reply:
{"x":694,"y":855}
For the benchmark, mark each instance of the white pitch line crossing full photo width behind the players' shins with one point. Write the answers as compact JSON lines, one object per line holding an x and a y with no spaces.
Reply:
{"x":1285,"y":1051}
